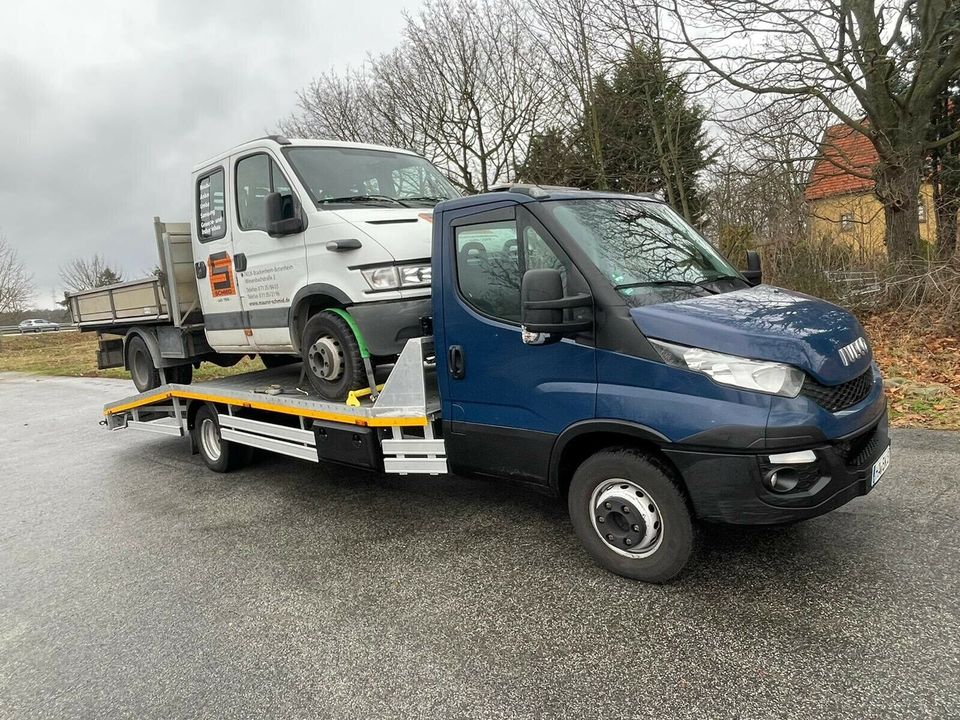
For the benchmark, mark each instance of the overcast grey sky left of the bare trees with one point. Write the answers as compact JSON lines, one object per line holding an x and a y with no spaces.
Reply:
{"x":105,"y":106}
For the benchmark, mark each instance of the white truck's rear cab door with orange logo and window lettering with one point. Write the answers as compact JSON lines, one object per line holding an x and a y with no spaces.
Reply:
{"x":214,"y":262}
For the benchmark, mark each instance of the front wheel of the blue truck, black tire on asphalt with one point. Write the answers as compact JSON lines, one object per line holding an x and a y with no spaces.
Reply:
{"x":638,"y":487}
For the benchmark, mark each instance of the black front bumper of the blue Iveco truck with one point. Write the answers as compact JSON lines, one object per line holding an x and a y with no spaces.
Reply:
{"x":730,"y":487}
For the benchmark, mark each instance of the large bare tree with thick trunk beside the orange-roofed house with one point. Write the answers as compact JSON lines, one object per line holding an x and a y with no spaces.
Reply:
{"x":877,"y":67}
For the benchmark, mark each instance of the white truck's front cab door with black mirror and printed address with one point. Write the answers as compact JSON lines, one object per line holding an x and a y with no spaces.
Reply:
{"x":269,"y":268}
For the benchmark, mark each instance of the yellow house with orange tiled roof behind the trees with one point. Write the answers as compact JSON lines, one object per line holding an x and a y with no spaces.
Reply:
{"x":841,"y":204}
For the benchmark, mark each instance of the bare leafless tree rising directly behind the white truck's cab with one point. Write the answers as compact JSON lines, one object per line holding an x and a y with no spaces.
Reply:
{"x":461,"y":89}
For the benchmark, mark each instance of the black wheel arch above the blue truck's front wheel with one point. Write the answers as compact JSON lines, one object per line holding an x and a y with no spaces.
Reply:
{"x":581,"y":440}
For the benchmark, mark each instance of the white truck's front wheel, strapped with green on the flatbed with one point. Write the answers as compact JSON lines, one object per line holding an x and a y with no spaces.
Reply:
{"x":336,"y":368}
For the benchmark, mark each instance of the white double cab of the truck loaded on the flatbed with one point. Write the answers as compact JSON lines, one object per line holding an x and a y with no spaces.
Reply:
{"x":317,"y":250}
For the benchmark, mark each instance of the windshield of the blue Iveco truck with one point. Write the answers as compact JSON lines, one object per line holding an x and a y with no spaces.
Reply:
{"x":646,"y":251}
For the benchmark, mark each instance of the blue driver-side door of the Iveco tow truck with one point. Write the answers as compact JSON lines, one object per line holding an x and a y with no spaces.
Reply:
{"x":504,"y":402}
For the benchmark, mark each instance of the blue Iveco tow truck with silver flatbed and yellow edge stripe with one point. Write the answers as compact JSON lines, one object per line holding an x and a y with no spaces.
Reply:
{"x":593,"y":346}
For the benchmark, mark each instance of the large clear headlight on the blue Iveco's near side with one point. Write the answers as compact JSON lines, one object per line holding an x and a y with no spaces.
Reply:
{"x":758,"y":375}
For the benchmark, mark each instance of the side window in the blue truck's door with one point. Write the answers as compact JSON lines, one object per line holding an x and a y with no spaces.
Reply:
{"x":491,"y":263}
